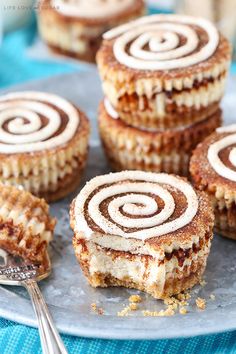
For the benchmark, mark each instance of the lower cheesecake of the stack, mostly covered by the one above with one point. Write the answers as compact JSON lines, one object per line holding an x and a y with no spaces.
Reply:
{"x":156,"y":150}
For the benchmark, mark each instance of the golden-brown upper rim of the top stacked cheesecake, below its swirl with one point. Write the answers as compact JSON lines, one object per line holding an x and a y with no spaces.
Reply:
{"x":163,"y":79}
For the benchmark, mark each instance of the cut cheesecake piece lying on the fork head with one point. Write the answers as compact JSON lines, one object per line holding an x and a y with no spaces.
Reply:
{"x":26,"y":225}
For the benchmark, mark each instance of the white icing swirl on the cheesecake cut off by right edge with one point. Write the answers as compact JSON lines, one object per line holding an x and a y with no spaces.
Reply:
{"x":214,"y":150}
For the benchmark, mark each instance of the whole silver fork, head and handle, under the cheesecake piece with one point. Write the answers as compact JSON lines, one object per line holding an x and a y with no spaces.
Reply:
{"x":15,"y":271}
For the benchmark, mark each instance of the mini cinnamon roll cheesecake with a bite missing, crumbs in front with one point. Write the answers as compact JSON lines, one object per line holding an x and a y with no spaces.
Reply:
{"x":142,"y":230}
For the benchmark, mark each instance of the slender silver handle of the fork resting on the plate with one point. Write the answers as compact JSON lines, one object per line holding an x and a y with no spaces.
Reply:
{"x":50,"y":339}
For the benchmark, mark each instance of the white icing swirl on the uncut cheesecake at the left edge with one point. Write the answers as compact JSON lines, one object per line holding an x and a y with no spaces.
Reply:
{"x":30,"y":121}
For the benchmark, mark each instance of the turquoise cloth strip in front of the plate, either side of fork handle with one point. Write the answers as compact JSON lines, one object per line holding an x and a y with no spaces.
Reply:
{"x":18,"y":339}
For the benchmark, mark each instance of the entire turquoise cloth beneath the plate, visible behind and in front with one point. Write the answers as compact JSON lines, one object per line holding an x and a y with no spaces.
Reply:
{"x":15,"y":67}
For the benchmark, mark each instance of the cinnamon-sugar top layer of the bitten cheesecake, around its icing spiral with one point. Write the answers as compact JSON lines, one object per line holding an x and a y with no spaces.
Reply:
{"x":183,"y":237}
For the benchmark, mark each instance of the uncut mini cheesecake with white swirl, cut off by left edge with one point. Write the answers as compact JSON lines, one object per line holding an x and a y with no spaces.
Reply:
{"x":43,"y":143}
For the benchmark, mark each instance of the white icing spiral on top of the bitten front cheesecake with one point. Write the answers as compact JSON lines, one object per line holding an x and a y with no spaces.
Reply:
{"x":129,"y":194}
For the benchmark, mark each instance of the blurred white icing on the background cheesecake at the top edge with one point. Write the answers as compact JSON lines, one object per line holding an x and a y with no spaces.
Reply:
{"x":91,"y":8}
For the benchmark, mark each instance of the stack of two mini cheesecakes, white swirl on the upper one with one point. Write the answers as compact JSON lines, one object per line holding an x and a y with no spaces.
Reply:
{"x":163,"y":77}
